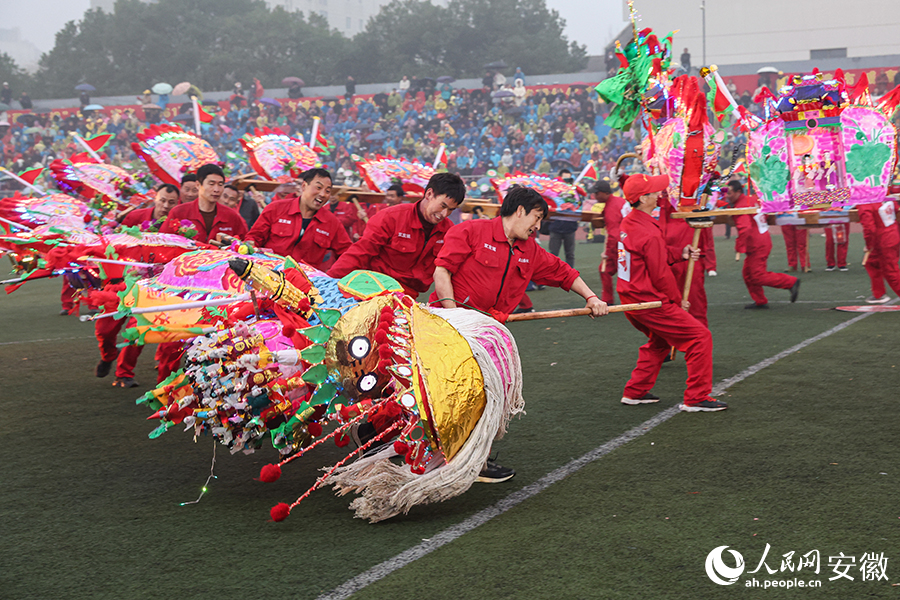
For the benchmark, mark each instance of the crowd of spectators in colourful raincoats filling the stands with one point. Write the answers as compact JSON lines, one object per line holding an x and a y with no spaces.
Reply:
{"x":502,"y":129}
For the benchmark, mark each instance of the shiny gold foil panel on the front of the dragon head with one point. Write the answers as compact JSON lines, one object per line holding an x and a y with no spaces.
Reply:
{"x":453,"y":382}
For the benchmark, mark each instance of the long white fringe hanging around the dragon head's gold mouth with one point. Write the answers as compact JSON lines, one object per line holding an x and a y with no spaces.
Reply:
{"x":388,"y":489}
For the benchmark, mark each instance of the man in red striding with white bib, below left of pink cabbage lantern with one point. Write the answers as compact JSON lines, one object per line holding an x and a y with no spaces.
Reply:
{"x":753,"y":233}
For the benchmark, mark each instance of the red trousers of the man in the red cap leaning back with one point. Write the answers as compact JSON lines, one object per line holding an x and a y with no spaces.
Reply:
{"x":665,"y":327}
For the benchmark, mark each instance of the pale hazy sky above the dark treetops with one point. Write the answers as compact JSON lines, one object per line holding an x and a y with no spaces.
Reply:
{"x":590,"y":22}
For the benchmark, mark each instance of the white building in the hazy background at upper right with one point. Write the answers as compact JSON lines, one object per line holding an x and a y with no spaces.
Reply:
{"x":764,"y":31}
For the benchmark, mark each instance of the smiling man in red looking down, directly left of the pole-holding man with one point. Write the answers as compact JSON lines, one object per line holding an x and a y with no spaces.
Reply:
{"x":402,"y":241}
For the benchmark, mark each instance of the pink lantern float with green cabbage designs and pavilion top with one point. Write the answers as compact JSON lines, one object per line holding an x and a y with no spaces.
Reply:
{"x":825,"y":146}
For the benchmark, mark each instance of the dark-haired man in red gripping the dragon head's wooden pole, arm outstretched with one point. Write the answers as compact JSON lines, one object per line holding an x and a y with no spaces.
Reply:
{"x":486,"y":265}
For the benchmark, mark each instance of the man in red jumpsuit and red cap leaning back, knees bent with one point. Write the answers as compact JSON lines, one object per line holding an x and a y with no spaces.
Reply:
{"x":644,"y":276}
